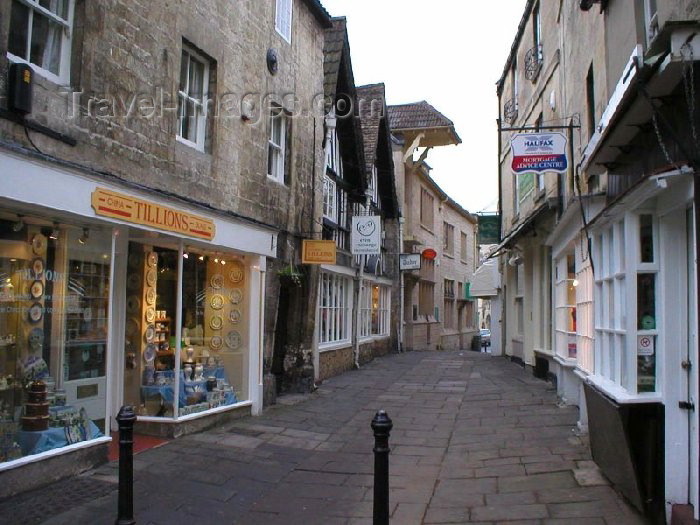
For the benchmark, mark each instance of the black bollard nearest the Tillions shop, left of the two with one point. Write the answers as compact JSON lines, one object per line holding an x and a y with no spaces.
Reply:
{"x":126,"y":419}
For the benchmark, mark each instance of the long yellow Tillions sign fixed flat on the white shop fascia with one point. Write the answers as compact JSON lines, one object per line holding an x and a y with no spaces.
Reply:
{"x":108,"y":203}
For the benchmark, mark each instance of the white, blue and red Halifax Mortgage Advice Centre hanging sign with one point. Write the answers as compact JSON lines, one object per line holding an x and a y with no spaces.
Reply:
{"x":539,"y":153}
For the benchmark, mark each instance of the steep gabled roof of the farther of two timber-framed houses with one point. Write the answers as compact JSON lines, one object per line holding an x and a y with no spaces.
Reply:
{"x":376,"y":135}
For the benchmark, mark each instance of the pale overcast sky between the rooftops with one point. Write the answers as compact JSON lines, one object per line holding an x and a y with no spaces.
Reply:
{"x":450,"y":53}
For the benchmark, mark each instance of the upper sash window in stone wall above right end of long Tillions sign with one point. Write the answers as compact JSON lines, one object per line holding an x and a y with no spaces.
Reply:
{"x":192,"y":98}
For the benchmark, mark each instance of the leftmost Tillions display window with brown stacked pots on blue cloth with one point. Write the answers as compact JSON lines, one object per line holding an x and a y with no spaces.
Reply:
{"x":54,"y":297}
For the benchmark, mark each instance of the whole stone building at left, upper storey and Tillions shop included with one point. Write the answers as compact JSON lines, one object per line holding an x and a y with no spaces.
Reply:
{"x":156,"y":183}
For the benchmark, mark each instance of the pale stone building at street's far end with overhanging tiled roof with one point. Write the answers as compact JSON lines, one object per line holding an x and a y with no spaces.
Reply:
{"x":438,"y":312}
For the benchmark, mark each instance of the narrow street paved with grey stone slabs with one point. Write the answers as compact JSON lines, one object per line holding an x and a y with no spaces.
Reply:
{"x":476,"y":439}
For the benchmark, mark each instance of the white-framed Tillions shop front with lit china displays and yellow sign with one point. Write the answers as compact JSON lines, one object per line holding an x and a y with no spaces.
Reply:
{"x":111,"y":296}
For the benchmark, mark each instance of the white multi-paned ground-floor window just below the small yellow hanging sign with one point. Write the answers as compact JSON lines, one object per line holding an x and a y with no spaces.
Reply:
{"x":334,"y":308}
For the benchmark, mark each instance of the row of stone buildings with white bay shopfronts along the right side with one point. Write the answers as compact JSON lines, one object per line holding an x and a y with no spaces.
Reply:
{"x":600,"y":271}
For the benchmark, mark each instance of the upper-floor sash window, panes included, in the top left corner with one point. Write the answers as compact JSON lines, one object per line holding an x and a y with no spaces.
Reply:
{"x":40,"y":34}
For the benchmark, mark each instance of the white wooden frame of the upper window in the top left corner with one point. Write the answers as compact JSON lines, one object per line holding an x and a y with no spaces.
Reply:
{"x":63,"y":77}
